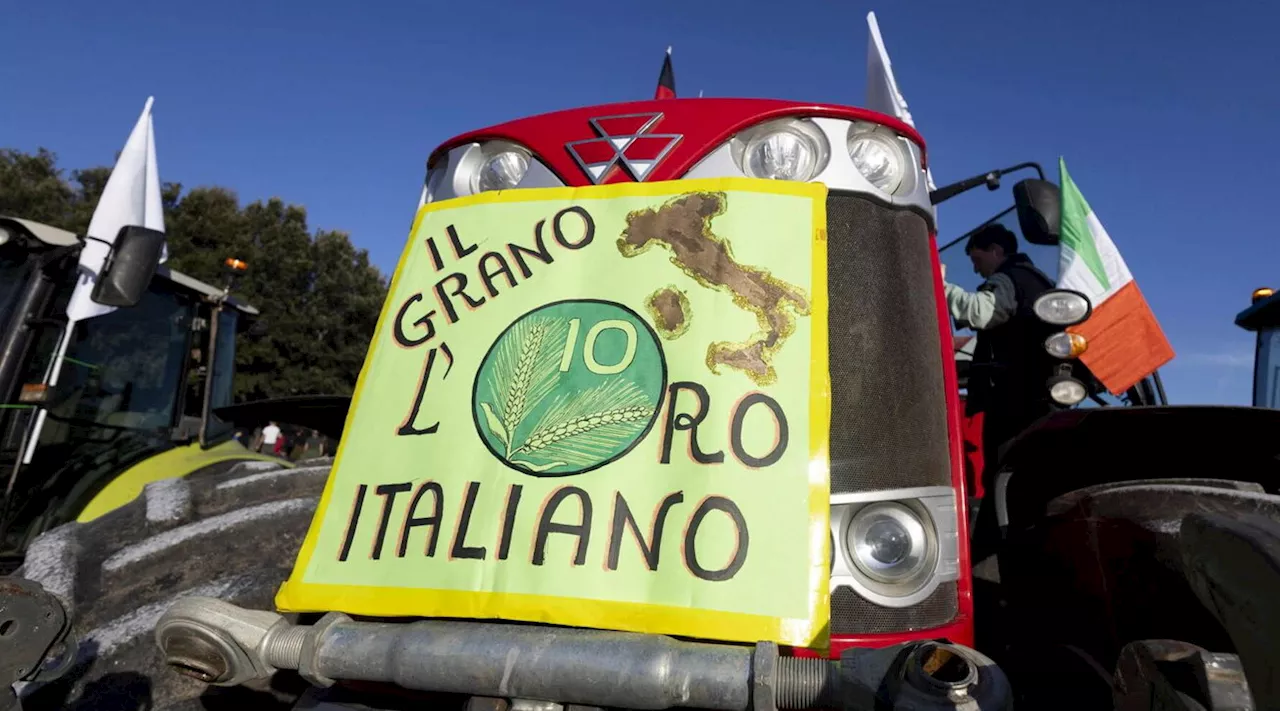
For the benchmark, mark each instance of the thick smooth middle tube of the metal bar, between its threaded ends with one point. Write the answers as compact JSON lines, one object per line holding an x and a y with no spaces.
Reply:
{"x":583,"y":667}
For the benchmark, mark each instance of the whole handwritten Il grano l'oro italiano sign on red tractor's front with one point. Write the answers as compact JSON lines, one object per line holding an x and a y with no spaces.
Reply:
{"x":601,"y":407}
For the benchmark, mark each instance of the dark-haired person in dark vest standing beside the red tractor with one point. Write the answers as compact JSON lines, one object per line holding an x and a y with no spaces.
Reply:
{"x":1011,"y":364}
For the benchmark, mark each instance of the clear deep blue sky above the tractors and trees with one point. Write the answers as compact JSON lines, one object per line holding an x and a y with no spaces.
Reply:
{"x":1164,"y":112}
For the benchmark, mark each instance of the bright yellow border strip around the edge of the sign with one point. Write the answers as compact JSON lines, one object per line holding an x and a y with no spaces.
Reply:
{"x":299,"y":596}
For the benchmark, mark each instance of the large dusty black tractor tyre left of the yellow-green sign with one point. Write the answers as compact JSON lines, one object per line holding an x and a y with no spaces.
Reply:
{"x":230,"y":532}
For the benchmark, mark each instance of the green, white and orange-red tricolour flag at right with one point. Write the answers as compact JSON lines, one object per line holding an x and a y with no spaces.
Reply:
{"x":1126,"y":344}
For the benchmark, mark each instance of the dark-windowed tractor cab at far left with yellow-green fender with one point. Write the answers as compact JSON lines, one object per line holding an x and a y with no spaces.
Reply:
{"x":83,"y":436}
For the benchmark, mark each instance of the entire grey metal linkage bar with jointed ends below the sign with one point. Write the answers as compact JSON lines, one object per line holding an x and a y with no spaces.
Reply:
{"x":221,"y":644}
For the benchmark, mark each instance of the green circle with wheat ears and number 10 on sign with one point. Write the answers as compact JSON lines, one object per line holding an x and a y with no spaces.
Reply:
{"x":569,"y":388}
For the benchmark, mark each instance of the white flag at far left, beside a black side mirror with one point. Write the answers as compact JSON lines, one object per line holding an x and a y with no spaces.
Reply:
{"x":131,"y":197}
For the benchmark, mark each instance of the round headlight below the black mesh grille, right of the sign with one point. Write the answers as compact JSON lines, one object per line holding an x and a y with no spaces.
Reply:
{"x":889,"y":544}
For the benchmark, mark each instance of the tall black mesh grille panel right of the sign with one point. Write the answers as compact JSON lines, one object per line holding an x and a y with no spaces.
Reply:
{"x":889,"y":409}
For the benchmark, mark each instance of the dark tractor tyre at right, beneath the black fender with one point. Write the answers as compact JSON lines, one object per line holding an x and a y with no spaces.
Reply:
{"x":1191,"y":560}
